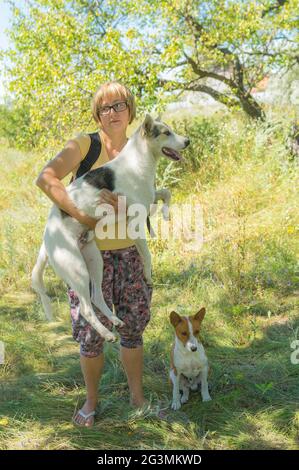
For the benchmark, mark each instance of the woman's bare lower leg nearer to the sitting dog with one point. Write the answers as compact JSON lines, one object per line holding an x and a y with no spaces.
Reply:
{"x":132,"y":360}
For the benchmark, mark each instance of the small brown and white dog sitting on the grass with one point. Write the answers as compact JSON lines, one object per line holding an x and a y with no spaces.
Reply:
{"x":188,"y":363}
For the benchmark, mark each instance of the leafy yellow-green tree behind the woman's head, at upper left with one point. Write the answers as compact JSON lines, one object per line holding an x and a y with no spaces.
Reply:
{"x":61,"y":52}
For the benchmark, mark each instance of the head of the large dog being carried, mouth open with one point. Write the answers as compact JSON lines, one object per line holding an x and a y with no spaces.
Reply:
{"x":162,"y":140}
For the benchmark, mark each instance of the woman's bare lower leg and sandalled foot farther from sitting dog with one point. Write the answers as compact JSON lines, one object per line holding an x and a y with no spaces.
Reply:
{"x":92,"y":368}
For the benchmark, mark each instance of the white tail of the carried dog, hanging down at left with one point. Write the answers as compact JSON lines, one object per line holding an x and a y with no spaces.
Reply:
{"x":37,"y":281}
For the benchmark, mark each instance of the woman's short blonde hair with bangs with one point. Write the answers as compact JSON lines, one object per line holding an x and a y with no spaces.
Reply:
{"x":115,"y":88}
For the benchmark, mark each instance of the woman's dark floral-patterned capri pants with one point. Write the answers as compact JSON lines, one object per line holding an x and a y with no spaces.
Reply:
{"x":123,"y":286}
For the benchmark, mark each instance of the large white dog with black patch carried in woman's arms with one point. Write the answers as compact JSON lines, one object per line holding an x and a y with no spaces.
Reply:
{"x":131,"y":174}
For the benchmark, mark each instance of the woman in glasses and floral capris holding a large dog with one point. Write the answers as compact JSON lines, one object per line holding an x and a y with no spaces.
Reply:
{"x":124,"y":285}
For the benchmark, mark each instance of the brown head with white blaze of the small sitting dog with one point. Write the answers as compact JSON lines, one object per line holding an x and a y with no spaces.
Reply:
{"x":187,"y":328}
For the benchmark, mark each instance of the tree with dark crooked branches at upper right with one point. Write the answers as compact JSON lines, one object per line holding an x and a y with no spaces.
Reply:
{"x":222,"y":47}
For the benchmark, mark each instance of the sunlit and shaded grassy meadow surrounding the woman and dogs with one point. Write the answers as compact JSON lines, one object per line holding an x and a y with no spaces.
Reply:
{"x":245,"y":274}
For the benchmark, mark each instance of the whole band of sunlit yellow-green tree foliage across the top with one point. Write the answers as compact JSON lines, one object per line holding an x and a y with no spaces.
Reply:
{"x":62,"y":51}
